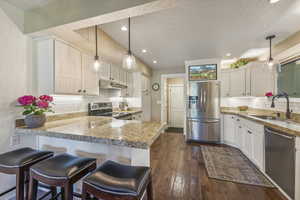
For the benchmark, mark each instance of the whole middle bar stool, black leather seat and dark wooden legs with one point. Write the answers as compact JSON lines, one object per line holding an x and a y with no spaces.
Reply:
{"x":63,"y":171}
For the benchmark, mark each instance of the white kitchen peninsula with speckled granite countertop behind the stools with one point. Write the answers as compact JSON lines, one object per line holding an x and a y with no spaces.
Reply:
{"x":125,"y":141}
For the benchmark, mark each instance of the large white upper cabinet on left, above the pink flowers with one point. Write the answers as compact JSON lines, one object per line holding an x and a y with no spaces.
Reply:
{"x":63,"y":69}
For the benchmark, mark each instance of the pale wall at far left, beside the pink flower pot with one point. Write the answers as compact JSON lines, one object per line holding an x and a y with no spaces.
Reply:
{"x":15,"y":77}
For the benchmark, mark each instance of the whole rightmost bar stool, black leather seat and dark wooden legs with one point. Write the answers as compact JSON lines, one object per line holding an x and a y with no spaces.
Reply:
{"x":113,"y":181}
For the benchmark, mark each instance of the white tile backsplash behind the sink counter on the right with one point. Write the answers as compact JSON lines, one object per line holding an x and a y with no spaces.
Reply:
{"x":261,"y":103}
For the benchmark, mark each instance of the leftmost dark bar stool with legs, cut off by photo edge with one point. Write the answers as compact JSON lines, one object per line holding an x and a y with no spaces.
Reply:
{"x":18,"y":162}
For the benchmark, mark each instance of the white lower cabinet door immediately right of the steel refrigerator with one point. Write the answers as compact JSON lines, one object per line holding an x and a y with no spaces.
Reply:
{"x":229,"y":129}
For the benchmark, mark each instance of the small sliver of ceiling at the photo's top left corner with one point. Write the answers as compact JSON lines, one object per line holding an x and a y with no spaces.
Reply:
{"x":28,"y":4}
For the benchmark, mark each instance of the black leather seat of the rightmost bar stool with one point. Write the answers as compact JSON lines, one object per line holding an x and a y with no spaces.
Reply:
{"x":118,"y":179}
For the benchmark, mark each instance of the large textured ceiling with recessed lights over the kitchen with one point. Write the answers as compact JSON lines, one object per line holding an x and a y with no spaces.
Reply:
{"x":197,"y":29}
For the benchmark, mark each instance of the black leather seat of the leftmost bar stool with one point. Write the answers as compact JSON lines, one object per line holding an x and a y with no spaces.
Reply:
{"x":22,"y":157}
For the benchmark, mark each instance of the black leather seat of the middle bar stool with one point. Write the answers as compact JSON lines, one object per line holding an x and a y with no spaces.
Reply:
{"x":62,"y":166}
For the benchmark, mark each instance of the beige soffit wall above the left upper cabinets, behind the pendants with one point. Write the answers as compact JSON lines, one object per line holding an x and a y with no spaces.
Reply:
{"x":109,"y":49}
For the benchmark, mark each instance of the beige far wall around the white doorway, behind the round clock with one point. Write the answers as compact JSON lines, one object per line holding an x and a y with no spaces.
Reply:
{"x":156,"y":95}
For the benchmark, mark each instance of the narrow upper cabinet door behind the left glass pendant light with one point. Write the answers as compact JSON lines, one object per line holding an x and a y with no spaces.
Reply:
{"x":90,"y":76}
